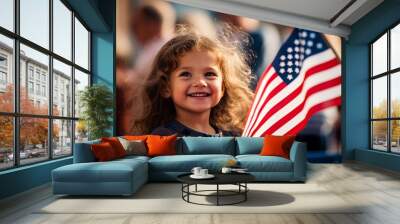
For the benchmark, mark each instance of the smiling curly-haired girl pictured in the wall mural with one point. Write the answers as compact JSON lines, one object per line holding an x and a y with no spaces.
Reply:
{"x":197,"y":87}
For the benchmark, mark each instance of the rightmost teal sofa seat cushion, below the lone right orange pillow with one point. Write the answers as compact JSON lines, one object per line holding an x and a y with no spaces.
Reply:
{"x":257,"y":163}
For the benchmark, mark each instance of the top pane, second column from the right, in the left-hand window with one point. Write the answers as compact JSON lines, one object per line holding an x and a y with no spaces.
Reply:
{"x":62,"y":29}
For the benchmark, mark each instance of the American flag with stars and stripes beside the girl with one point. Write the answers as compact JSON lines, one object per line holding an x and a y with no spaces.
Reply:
{"x":303,"y":79}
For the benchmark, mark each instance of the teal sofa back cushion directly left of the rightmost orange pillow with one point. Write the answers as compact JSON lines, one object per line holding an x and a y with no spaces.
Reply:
{"x":249,"y":145}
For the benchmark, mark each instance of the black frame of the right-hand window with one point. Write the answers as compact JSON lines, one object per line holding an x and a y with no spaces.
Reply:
{"x":388,"y":74}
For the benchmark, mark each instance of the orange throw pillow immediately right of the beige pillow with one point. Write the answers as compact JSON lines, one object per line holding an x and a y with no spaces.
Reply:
{"x":161,"y":145}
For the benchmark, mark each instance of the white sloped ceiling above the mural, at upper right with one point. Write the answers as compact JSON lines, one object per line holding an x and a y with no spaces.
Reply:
{"x":324,"y":16}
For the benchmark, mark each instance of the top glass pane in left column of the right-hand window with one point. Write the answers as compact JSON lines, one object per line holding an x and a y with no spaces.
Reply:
{"x":379,"y":55}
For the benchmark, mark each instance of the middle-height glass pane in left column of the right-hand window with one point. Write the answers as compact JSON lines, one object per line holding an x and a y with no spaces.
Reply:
{"x":379,"y":98}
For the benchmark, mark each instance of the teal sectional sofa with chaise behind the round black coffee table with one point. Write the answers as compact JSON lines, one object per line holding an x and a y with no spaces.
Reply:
{"x":125,"y":176}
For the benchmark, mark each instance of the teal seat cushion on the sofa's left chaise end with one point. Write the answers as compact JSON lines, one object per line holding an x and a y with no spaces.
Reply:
{"x":111,"y":171}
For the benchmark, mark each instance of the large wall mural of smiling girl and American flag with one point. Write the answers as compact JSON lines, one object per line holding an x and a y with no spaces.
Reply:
{"x":201,"y":73}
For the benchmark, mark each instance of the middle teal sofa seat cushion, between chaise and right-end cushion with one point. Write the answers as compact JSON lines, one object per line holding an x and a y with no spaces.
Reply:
{"x":185,"y":163}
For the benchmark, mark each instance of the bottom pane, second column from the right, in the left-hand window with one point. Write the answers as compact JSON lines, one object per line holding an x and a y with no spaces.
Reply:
{"x":62,"y":138}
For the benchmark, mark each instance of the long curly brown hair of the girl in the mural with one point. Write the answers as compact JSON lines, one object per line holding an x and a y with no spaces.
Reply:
{"x":231,"y":111}
